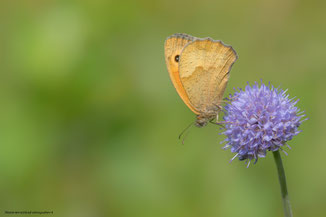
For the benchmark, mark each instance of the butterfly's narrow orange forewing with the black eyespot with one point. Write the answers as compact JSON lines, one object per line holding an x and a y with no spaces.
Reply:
{"x":173,"y":47}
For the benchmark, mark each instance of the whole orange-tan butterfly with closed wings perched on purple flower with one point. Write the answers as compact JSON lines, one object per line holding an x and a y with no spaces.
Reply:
{"x":199,"y":69}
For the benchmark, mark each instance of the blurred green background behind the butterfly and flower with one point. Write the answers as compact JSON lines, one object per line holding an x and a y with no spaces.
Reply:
{"x":89,"y":118}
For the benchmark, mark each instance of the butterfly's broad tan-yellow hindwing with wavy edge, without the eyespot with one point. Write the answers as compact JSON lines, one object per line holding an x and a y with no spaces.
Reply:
{"x":204,"y":72}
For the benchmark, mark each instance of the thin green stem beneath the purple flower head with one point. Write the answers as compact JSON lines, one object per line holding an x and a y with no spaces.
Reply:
{"x":282,"y":180}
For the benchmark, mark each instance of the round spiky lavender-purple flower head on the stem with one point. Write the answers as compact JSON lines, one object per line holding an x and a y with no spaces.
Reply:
{"x":259,"y":119}
